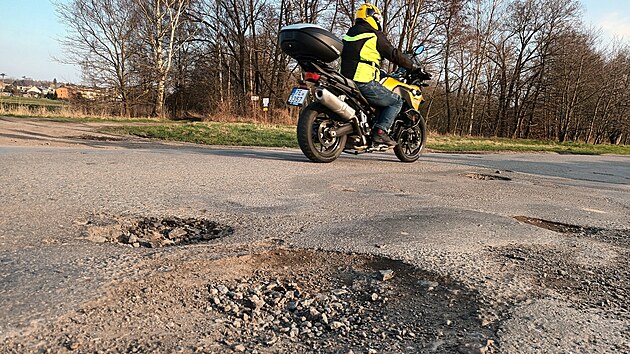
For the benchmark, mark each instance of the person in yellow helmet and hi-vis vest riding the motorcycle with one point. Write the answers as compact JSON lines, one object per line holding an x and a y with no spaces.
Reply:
{"x":363,"y":47}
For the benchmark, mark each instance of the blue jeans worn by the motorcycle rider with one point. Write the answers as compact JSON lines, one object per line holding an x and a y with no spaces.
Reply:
{"x":387,"y":103}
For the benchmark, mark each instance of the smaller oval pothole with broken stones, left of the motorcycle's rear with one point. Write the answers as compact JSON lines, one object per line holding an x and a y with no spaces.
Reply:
{"x":153,"y":232}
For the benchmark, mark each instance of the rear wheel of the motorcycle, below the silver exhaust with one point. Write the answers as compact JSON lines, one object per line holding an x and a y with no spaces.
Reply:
{"x":313,"y":135}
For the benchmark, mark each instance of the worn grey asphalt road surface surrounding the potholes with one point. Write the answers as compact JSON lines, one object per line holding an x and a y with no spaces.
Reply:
{"x":431,"y":214}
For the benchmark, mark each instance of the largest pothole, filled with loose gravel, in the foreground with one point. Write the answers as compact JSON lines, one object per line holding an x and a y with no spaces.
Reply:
{"x":278,"y":301}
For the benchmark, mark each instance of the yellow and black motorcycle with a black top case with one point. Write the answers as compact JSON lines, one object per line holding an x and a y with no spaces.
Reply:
{"x":335,"y":117}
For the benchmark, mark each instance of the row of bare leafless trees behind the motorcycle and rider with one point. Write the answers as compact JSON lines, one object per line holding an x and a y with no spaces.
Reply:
{"x":513,"y":68}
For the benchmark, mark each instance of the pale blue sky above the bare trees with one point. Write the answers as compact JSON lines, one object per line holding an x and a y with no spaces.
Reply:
{"x":29,"y":31}
